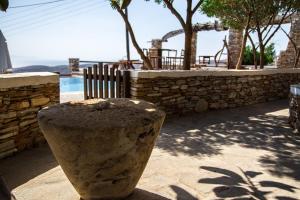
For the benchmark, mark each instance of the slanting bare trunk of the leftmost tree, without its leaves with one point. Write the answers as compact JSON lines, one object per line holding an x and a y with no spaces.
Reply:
{"x":146,"y":60}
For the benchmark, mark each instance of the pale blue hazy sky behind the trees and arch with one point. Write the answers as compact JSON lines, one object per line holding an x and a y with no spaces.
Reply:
{"x":92,"y":30}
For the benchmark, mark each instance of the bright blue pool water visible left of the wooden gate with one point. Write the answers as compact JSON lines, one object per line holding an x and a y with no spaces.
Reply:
{"x":71,"y":84}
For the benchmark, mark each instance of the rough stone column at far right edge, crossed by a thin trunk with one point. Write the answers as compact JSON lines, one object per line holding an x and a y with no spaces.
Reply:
{"x":287,"y":58}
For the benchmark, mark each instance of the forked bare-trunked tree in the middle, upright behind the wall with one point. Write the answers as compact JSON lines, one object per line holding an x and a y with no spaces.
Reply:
{"x":185,"y":23}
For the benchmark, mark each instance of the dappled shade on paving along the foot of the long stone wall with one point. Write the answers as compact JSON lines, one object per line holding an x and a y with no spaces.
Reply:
{"x":251,"y":127}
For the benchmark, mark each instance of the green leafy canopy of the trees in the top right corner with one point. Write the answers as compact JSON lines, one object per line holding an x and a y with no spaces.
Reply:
{"x":234,"y":13}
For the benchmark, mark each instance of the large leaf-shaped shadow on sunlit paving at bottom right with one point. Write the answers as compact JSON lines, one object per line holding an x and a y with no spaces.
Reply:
{"x":233,"y":185}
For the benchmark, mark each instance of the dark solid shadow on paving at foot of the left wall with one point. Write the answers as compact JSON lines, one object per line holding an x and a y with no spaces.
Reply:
{"x":22,"y":167}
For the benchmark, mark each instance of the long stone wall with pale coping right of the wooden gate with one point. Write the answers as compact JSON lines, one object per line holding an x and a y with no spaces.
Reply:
{"x":186,"y":91}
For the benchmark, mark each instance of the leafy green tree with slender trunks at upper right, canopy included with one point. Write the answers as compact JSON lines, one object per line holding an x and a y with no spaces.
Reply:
{"x":264,"y":17}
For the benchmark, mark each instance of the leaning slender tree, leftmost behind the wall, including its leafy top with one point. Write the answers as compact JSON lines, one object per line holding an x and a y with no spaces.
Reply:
{"x":119,"y":6}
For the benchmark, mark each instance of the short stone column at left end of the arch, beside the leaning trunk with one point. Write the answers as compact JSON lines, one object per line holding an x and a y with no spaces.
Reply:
{"x":155,"y":53}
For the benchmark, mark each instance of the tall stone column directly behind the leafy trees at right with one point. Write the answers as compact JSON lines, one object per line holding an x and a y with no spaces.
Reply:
{"x":235,"y":46}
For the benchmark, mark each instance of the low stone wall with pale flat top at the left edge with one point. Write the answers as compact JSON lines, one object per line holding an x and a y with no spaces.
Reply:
{"x":21,"y":97}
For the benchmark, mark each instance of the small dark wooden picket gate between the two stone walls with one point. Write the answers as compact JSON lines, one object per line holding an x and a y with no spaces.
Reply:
{"x":102,"y":81}
